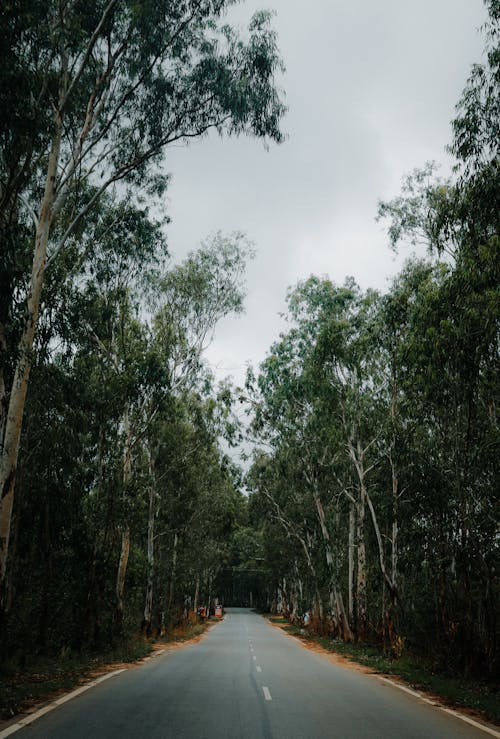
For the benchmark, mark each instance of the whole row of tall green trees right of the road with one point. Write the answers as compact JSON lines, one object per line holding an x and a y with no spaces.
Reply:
{"x":376,"y":483}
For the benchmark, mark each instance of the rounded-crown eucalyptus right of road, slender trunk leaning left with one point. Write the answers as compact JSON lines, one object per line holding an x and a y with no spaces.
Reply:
{"x":301,"y":409}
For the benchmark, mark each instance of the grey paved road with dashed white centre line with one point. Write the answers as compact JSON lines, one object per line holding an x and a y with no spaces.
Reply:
{"x":245,"y":680}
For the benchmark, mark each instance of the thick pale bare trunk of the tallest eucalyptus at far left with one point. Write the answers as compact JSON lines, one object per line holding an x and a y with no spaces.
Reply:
{"x":13,"y":421}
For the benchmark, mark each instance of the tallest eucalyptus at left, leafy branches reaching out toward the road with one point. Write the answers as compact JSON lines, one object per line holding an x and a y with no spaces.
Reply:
{"x":109,"y":88}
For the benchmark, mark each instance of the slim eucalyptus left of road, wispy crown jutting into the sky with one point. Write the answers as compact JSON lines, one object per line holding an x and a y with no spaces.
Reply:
{"x":193,"y":297}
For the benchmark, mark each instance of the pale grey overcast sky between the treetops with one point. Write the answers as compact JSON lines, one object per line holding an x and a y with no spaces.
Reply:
{"x":371,"y":87}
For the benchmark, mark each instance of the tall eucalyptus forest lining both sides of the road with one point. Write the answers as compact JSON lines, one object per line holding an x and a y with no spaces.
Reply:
{"x":368,"y":505}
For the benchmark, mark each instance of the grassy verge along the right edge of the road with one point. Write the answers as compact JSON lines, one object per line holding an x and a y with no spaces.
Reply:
{"x":481,"y":697}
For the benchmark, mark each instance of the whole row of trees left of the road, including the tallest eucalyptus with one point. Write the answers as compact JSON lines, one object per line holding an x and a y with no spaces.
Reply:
{"x":117,"y":504}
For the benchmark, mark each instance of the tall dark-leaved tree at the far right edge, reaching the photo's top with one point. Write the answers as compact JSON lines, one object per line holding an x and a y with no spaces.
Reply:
{"x":451,"y":349}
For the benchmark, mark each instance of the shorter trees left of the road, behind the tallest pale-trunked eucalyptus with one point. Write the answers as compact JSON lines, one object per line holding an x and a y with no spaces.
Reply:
{"x":126,"y":504}
